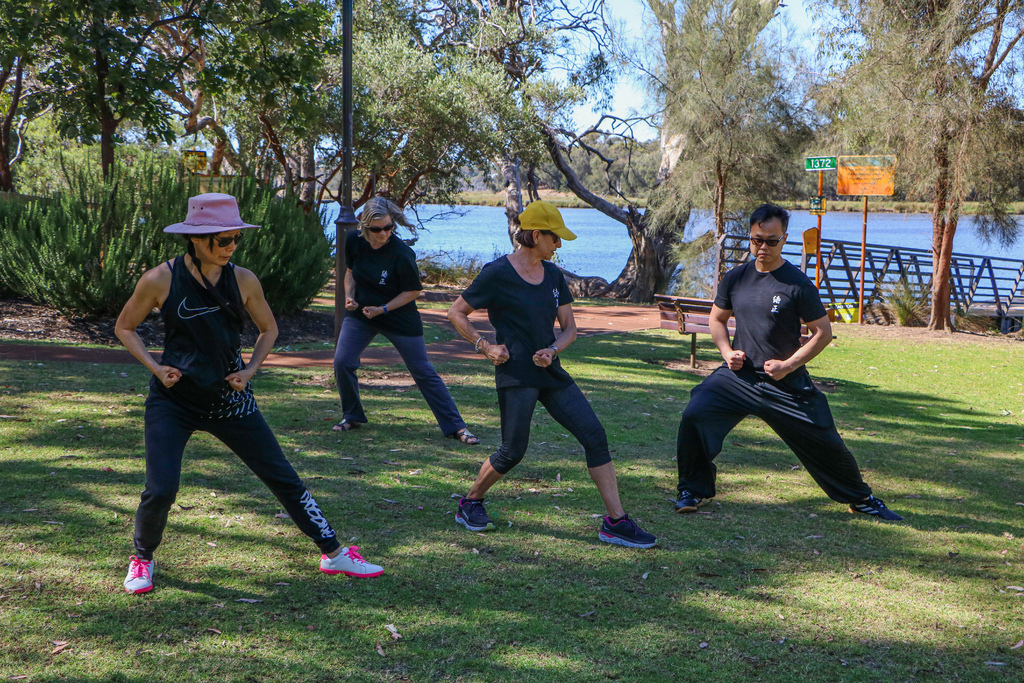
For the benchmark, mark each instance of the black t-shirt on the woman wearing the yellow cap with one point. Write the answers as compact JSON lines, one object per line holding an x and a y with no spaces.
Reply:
{"x":524,"y":316}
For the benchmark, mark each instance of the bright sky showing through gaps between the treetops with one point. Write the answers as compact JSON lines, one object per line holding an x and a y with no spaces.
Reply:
{"x":629,"y":96}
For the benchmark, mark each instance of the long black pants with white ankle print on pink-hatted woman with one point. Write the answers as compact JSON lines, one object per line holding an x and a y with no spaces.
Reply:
{"x":168,"y":429}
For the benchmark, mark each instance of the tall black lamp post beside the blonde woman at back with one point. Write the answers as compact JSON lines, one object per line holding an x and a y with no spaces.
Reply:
{"x":347,"y":215}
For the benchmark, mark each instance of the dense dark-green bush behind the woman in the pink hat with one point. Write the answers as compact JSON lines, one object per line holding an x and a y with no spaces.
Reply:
{"x":83,"y":250}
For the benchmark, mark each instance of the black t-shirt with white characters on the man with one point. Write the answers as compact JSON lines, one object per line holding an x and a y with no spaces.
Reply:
{"x":769,"y":309}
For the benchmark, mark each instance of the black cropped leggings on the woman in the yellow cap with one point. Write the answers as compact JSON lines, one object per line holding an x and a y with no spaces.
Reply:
{"x":570,"y":409}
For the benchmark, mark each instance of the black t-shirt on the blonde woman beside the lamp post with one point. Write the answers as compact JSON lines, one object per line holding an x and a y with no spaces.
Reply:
{"x":381,"y":275}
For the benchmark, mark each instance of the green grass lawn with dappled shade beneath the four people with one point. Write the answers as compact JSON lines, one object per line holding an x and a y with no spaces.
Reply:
{"x":773,"y":583}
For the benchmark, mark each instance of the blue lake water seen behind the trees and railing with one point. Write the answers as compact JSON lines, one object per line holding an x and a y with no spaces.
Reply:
{"x":603,"y":245}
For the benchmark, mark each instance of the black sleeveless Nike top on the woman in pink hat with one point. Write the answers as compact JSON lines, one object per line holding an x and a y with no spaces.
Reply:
{"x":203,"y":343}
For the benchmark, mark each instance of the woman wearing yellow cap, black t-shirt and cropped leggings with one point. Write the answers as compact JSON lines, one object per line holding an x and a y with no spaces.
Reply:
{"x":525,"y":294}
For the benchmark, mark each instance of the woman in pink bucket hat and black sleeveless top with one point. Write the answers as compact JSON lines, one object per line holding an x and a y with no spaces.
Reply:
{"x":201,"y":383}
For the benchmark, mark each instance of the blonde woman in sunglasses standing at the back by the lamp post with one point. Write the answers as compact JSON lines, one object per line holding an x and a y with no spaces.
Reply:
{"x":382,"y":283}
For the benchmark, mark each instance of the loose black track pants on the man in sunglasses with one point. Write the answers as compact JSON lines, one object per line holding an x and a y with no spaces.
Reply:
{"x":794,"y":409}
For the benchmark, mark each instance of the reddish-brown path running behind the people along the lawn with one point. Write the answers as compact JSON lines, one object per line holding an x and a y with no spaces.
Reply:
{"x":590,"y":321}
